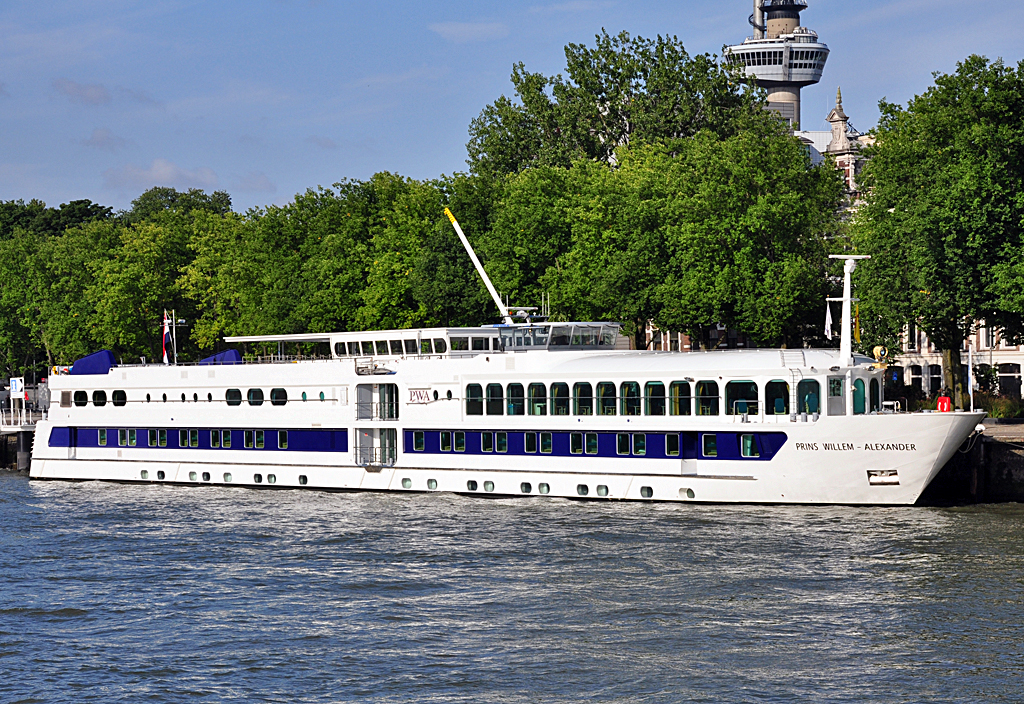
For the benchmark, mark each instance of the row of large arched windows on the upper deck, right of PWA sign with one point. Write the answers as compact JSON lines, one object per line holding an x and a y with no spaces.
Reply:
{"x":679,"y":399}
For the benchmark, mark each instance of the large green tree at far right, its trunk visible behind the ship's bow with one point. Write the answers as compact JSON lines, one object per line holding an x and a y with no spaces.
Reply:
{"x":944,"y":214}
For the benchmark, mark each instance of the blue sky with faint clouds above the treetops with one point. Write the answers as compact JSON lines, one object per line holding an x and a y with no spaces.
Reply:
{"x":102,"y":100}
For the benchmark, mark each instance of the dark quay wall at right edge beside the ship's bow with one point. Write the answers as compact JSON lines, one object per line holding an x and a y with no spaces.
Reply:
{"x":989,"y":469}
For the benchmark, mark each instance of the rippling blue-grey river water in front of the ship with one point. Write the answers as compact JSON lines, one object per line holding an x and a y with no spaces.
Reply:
{"x":129,"y":594}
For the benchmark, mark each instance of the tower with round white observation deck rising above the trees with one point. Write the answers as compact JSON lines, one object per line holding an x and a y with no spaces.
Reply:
{"x":783,"y":57}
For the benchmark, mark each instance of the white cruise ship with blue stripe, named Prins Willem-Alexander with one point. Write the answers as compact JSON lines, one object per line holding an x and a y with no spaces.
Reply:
{"x":522,"y":409}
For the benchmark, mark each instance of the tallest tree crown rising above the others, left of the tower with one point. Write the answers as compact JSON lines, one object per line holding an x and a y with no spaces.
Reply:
{"x":623,"y":91}
